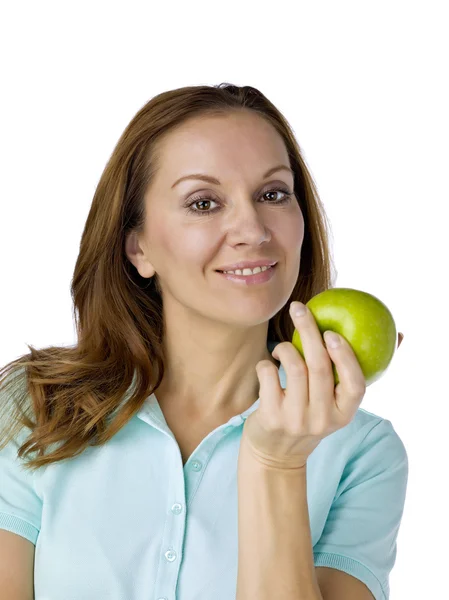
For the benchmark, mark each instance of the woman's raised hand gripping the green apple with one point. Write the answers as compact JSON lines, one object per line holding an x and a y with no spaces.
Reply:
{"x":289,"y":425}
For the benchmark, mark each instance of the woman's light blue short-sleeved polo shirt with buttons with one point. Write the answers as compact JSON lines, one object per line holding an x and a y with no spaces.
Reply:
{"x":127,"y":521}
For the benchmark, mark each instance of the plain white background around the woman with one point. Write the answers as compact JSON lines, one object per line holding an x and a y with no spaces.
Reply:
{"x":364,"y":85}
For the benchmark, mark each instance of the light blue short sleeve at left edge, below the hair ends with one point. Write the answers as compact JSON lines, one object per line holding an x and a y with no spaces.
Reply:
{"x":20,"y":505}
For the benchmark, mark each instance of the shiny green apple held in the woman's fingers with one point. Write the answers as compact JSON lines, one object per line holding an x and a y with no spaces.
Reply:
{"x":365,"y":323}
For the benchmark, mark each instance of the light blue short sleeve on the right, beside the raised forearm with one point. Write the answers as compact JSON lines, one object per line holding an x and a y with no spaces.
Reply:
{"x":360,"y":533}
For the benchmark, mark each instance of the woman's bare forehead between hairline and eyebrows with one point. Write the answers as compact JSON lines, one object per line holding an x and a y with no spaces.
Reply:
{"x":218,"y":144}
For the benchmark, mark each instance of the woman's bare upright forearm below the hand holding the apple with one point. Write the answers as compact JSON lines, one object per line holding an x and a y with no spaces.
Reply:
{"x":275,"y":544}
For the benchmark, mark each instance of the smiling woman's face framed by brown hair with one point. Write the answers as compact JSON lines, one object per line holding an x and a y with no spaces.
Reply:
{"x":244,"y":223}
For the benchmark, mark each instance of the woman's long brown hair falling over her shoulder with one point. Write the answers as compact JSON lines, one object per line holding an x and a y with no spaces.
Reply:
{"x":76,"y":394}
